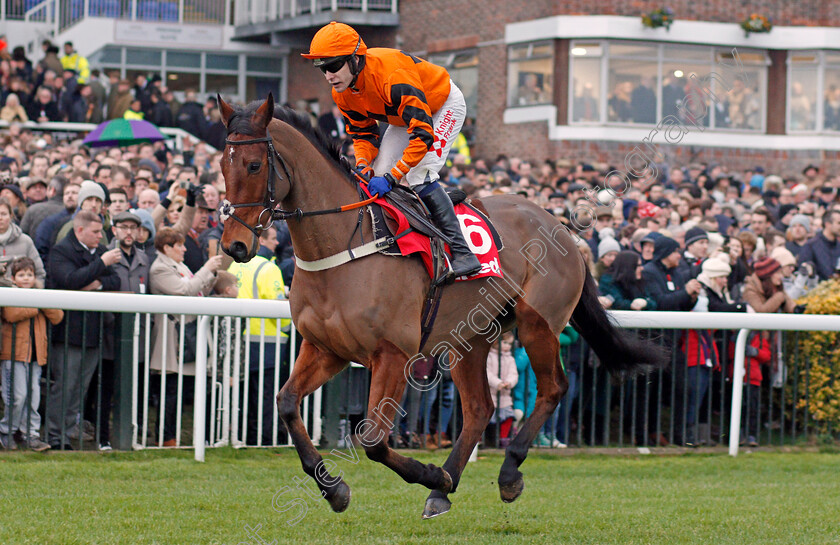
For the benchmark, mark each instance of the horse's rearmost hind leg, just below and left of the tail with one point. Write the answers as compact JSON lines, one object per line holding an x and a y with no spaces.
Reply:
{"x":543,"y":348}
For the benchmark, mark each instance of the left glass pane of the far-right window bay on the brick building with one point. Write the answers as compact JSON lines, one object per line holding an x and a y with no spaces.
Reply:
{"x":803,"y":77}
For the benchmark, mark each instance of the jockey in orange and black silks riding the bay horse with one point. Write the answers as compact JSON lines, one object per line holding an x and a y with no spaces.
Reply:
{"x":424,"y":110}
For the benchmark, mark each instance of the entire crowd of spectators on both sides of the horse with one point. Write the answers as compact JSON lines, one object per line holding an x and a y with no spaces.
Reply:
{"x":144,"y":219}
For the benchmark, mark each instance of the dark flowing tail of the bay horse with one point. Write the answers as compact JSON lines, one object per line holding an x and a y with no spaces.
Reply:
{"x":618,"y":349}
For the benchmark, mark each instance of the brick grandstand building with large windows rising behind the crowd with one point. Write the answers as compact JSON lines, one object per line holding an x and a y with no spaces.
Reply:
{"x":543,"y":79}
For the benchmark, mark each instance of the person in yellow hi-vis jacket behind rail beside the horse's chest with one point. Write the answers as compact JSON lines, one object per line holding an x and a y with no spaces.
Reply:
{"x":261,"y":278}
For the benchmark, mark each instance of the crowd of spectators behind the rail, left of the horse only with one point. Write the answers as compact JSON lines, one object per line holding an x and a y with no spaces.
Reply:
{"x":140,"y":219}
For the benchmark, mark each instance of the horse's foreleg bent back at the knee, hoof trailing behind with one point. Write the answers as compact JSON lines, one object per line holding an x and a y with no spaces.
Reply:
{"x":387,"y":385}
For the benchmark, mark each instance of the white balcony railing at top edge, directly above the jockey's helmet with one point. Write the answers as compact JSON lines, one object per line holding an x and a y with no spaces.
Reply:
{"x":249,"y":12}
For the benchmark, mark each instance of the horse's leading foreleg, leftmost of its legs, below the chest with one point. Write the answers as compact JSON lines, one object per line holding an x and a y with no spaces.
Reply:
{"x":313,"y":368}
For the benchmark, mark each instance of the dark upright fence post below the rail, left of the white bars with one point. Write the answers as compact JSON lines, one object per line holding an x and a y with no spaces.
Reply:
{"x":123,"y":382}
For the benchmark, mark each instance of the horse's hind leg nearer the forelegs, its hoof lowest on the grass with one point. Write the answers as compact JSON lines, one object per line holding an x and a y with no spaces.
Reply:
{"x":470,"y":376}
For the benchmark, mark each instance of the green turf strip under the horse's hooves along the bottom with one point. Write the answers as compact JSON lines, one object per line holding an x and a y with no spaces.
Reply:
{"x":167,"y":498}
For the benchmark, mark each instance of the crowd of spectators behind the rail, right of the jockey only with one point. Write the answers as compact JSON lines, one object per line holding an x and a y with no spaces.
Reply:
{"x":698,"y":237}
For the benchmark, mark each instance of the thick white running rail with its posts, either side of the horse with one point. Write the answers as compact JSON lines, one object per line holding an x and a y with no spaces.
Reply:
{"x":245,"y":308}
